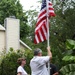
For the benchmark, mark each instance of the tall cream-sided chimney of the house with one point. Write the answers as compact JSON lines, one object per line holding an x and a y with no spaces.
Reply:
{"x":12,"y":33}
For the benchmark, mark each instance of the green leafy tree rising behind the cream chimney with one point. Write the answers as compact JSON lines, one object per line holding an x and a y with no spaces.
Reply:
{"x":14,"y":8}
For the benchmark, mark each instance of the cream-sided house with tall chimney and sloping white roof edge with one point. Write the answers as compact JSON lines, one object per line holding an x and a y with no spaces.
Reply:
{"x":10,"y":35}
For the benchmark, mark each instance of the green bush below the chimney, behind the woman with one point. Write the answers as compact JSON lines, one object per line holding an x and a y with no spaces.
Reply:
{"x":9,"y":64}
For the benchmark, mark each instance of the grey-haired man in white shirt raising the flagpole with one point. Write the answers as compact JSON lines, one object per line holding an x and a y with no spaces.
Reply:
{"x":38,"y":62}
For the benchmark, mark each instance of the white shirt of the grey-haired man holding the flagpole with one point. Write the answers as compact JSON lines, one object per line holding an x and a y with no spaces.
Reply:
{"x":38,"y":65}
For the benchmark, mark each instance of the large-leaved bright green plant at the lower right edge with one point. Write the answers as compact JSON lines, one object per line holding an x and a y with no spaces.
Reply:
{"x":70,"y":58}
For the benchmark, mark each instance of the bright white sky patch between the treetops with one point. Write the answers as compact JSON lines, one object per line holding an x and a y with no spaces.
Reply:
{"x":28,"y":3}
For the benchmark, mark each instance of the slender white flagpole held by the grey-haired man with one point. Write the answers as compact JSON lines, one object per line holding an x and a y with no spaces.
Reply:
{"x":48,"y":32}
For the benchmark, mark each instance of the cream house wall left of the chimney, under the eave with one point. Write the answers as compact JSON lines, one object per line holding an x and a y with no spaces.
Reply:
{"x":2,"y":40}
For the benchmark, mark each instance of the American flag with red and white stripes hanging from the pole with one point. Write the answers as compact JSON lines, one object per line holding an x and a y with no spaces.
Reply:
{"x":41,"y":27}
